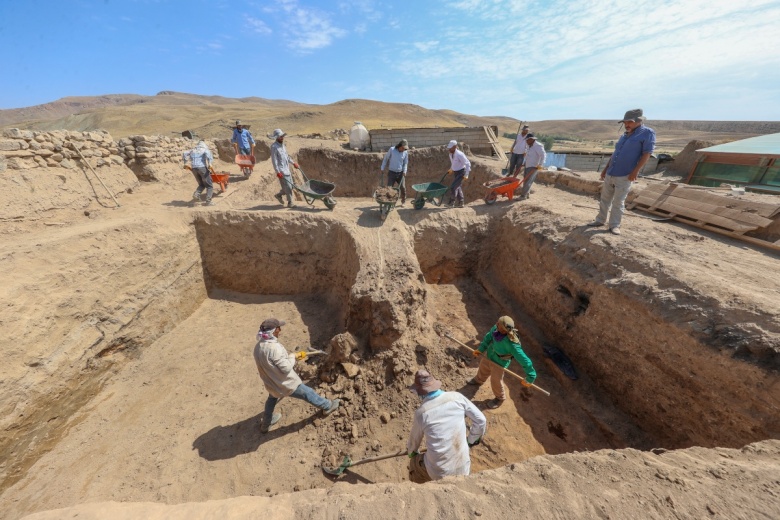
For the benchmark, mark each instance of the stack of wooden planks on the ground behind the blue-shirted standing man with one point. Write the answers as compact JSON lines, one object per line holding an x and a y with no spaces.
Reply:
{"x":724,"y":215}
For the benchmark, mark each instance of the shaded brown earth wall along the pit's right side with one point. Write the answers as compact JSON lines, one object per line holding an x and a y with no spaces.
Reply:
{"x":660,"y":367}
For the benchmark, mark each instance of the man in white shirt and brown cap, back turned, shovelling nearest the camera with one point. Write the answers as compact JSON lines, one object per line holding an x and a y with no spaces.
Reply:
{"x":441,"y":418}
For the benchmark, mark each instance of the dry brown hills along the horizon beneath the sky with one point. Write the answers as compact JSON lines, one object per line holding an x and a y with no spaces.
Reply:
{"x":170,"y":113}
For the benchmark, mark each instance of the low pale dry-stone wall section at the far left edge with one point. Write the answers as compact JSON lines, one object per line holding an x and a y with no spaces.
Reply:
{"x":26,"y":149}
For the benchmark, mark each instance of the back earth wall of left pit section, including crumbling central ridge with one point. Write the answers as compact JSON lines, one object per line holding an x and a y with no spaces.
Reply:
{"x":379,"y":290}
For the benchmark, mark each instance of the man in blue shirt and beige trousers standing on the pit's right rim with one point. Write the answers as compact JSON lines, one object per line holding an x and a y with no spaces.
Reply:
{"x":632,"y":151}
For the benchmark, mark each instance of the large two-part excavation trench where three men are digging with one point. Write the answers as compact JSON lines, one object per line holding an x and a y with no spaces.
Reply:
{"x":182,"y":423}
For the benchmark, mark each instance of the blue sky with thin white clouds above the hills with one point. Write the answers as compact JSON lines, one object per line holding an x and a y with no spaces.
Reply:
{"x":532,"y":60}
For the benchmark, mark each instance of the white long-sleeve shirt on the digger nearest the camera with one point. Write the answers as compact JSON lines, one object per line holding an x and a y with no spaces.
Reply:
{"x":441,"y":419}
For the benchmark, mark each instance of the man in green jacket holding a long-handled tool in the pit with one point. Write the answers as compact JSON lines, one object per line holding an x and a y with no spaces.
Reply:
{"x":502,"y":344}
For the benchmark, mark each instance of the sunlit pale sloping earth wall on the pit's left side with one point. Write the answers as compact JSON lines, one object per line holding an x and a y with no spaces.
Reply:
{"x":60,"y":350}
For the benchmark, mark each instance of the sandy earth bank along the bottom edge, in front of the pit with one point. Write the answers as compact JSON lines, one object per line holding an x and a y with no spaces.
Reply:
{"x":692,"y":483}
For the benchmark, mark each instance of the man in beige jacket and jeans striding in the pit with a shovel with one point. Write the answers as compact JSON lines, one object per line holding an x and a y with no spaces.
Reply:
{"x":275,"y":366}
